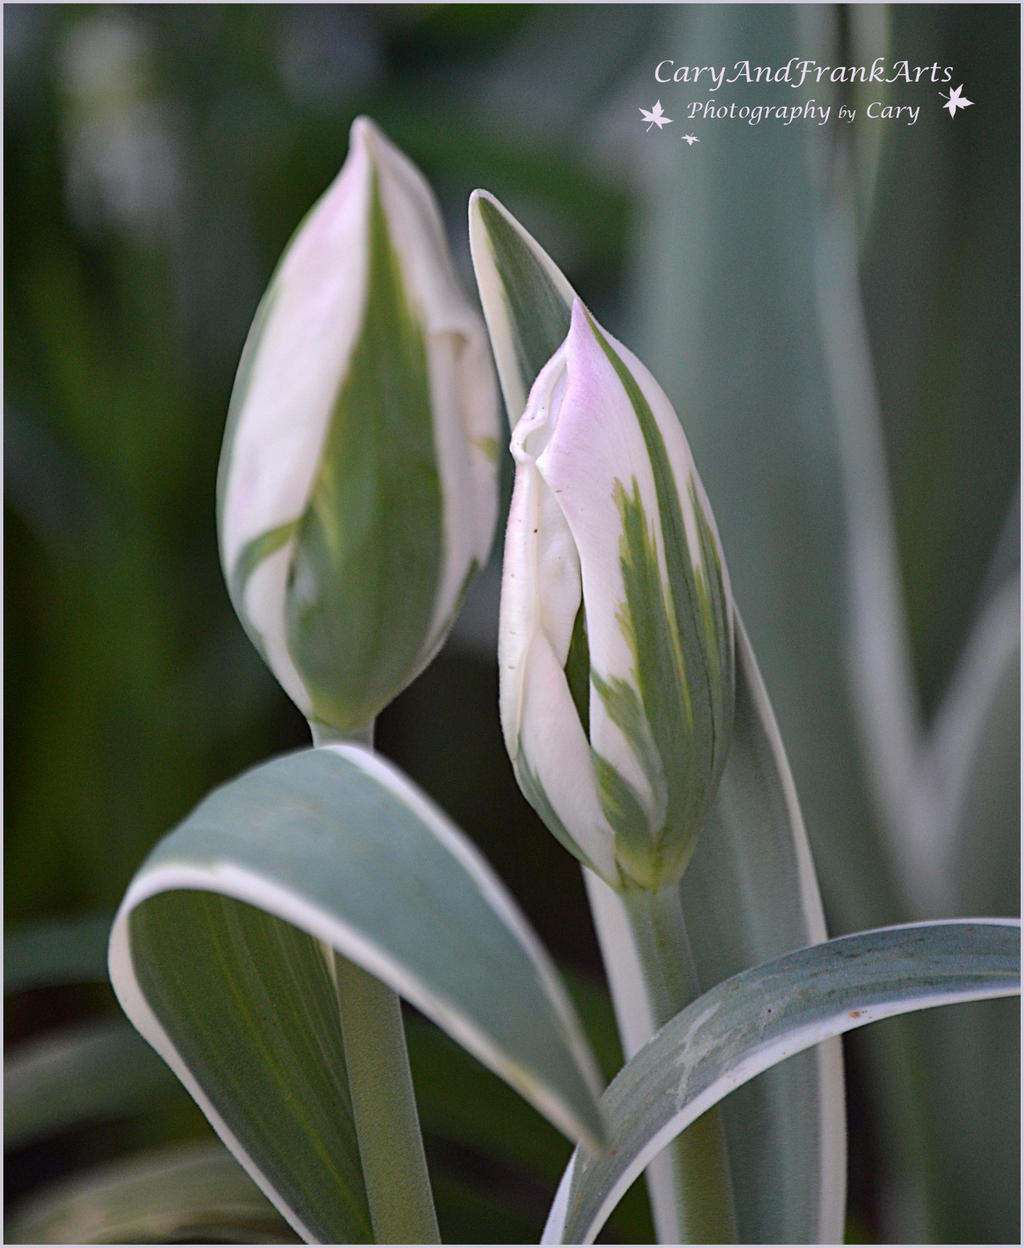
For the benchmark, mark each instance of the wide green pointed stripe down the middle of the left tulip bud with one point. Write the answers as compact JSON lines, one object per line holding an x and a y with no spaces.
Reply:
{"x":367,"y":561}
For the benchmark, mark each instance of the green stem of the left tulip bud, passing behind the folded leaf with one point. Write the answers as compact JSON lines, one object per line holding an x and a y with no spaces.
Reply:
{"x":381,"y":1086}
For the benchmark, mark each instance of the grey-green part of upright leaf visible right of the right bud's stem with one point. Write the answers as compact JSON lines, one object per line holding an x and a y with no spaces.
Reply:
{"x":750,"y":894}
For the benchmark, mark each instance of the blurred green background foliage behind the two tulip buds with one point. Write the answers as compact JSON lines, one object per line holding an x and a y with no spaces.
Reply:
{"x":158,"y":159}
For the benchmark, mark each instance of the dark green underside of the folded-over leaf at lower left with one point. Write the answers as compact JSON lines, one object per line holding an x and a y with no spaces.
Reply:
{"x":241,"y":1007}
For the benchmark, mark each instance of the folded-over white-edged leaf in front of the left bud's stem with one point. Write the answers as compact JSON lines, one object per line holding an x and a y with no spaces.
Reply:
{"x":218,"y":958}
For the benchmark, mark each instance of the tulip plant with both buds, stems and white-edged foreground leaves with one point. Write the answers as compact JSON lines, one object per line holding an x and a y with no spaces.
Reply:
{"x":264,"y":947}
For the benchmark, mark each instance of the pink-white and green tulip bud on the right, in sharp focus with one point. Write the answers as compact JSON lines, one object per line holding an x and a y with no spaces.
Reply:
{"x":617,"y":635}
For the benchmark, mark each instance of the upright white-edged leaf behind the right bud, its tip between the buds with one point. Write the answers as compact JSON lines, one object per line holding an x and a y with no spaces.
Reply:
{"x":750,"y":893}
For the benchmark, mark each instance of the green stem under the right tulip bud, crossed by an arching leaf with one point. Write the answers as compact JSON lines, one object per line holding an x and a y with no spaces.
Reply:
{"x":697,"y":1164}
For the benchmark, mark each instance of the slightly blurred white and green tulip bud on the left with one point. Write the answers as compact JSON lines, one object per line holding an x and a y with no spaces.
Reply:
{"x":359,"y":491}
